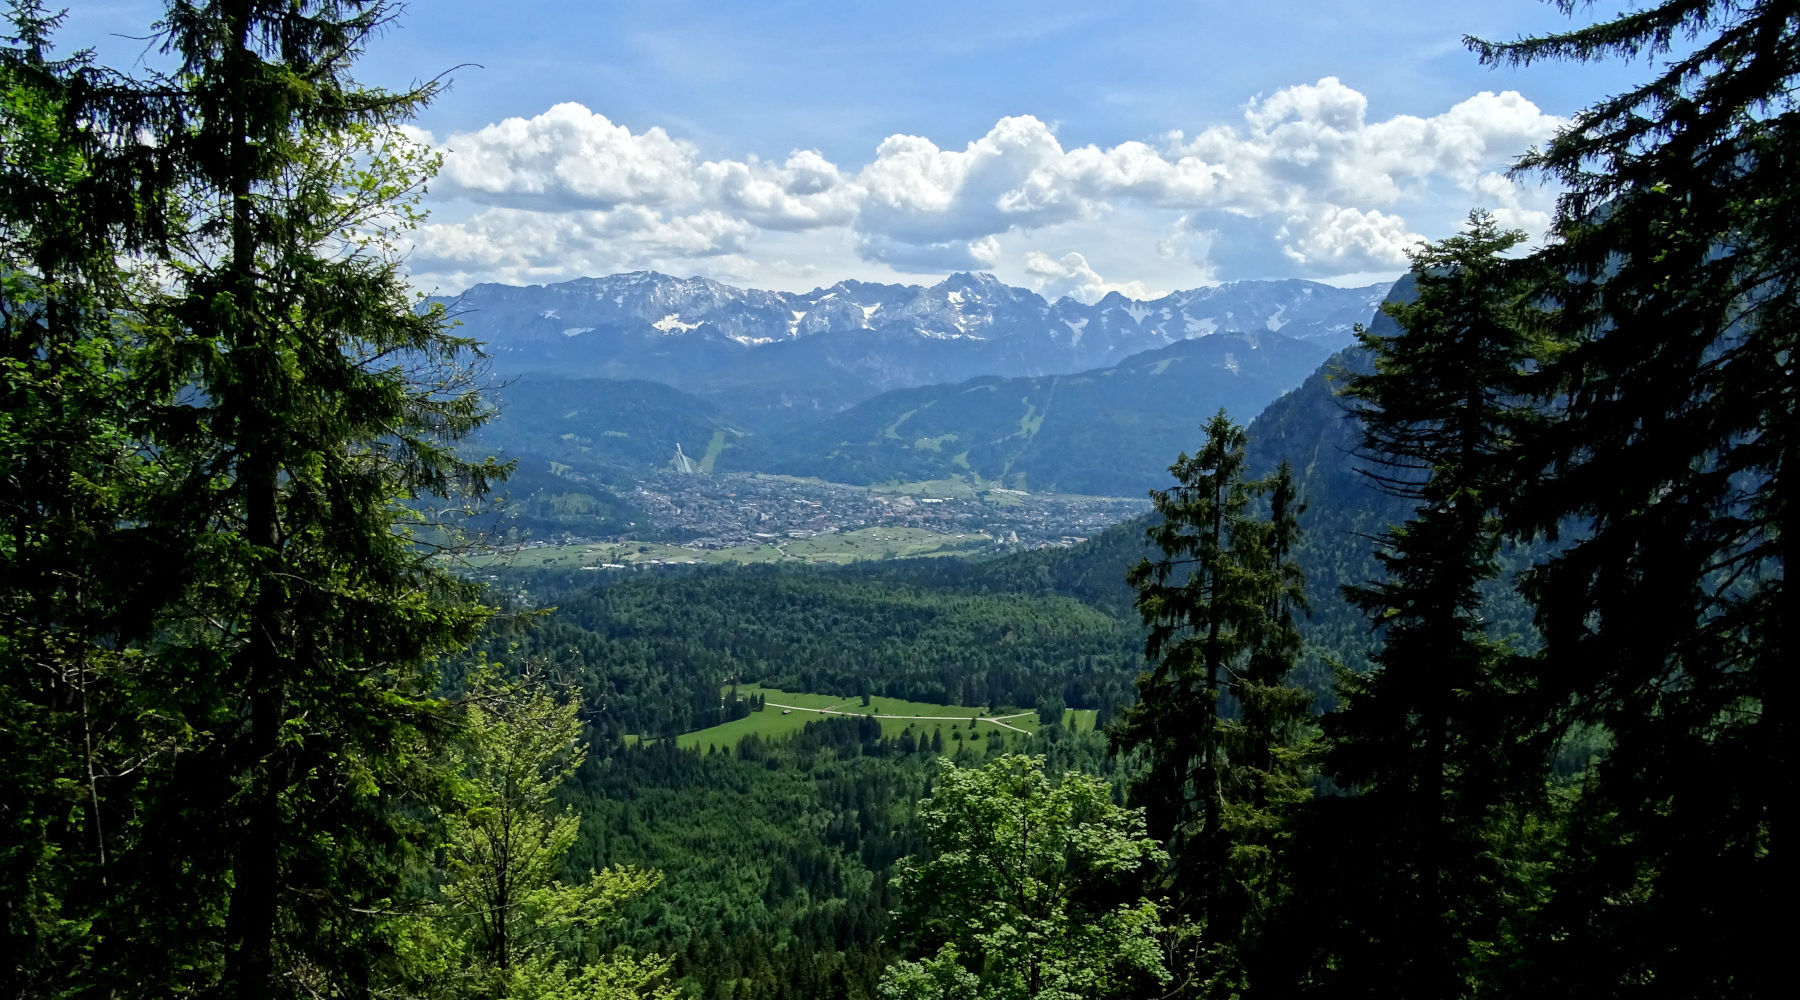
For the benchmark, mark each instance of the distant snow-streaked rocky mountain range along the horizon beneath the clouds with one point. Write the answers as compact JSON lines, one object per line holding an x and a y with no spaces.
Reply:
{"x":800,"y":355}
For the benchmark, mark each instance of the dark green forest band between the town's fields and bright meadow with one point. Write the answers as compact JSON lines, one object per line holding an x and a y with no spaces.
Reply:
{"x":651,"y":652}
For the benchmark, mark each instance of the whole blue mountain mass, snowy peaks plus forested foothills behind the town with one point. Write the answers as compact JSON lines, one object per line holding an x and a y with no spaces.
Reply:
{"x":870,"y":384}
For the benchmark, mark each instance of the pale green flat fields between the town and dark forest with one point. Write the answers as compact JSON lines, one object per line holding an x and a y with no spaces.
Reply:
{"x":831,"y":548}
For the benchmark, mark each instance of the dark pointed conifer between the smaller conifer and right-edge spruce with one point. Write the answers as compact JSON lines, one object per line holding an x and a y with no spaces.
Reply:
{"x":1423,"y":738}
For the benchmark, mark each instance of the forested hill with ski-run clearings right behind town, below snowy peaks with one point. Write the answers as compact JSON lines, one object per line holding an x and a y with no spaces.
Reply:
{"x":1102,"y":433}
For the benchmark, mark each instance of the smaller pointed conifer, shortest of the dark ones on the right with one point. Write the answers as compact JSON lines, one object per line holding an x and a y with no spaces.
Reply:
{"x":1219,"y":607}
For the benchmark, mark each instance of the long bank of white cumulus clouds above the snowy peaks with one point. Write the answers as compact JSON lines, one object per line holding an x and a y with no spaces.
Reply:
{"x":1306,"y":175}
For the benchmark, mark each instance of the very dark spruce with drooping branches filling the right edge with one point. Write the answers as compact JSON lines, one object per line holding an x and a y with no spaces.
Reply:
{"x":1668,"y":620}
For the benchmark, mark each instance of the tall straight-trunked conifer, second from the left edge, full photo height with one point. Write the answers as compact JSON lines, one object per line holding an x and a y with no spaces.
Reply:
{"x":303,"y":343}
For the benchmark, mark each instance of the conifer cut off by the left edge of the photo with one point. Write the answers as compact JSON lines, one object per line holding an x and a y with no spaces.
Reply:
{"x":78,"y":564}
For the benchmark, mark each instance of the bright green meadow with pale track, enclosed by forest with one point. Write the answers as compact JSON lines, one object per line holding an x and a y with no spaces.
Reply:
{"x":895,"y":717}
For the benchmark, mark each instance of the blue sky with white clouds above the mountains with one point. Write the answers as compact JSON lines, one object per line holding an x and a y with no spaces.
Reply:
{"x":1074,"y":148}
